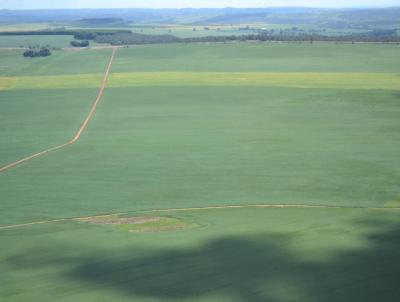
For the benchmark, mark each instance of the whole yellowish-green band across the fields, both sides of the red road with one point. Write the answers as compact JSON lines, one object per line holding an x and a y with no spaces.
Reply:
{"x":387,"y":81}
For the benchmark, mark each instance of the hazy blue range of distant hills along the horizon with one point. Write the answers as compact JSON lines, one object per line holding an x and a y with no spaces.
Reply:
{"x":387,"y":18}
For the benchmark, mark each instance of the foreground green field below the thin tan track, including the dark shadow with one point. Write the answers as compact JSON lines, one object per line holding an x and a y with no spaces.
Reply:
{"x":236,"y":255}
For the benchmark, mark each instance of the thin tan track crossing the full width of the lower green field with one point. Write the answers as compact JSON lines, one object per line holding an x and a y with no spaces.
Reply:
{"x":275,"y":206}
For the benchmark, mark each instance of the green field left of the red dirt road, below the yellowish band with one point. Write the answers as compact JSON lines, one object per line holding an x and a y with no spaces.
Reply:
{"x":34,"y":120}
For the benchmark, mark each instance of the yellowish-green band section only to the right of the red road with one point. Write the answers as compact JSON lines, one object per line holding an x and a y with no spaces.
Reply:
{"x":293,"y":79}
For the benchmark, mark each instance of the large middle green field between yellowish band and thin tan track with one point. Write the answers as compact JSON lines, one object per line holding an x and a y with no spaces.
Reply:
{"x":190,"y":146}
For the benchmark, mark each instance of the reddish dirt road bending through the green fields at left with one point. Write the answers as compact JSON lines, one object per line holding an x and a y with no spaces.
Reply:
{"x":81,"y":129}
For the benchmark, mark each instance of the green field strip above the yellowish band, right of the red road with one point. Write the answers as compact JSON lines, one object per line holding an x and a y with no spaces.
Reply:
{"x":261,"y":57}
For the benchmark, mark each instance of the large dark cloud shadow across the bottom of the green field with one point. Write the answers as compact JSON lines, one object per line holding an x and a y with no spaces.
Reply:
{"x":259,"y":268}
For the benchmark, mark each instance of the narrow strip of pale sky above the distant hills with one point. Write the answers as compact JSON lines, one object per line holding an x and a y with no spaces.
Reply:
{"x":56,"y":4}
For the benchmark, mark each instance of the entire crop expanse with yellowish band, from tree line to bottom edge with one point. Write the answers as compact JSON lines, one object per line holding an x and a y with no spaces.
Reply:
{"x":208,"y":172}
